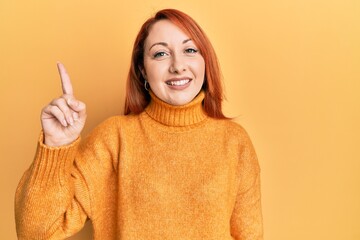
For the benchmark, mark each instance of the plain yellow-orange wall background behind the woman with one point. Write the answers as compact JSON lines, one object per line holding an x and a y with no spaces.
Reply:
{"x":292,"y":76}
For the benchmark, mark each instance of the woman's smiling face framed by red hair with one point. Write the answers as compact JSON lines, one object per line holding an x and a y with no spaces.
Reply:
{"x":173,"y":66}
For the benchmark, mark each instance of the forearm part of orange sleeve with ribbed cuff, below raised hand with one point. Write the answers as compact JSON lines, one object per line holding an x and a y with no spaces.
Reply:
{"x":46,"y":200}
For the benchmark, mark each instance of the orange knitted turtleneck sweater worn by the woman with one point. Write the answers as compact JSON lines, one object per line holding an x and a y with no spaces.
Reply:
{"x":170,"y":172}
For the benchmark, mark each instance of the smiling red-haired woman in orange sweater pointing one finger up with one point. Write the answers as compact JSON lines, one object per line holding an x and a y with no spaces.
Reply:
{"x":172,"y":168}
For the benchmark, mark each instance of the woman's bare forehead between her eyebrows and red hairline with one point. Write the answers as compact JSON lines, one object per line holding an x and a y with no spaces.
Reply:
{"x":165,"y":31}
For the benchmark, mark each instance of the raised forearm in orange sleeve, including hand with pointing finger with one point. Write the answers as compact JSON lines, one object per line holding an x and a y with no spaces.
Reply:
{"x":51,"y":200}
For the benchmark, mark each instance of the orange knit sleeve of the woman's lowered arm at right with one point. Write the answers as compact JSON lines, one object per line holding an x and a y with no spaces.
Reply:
{"x":246,"y":220}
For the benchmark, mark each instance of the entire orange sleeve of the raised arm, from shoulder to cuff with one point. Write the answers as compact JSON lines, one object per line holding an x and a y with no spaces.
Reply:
{"x":67,"y":185}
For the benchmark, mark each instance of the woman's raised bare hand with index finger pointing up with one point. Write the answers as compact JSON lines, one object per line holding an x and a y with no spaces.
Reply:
{"x":64,"y":118}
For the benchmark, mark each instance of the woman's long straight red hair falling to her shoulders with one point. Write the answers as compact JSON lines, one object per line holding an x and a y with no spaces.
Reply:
{"x":137,"y":98}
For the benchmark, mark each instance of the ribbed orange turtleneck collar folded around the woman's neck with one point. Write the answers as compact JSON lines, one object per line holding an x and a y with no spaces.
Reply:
{"x":176,"y":116}
